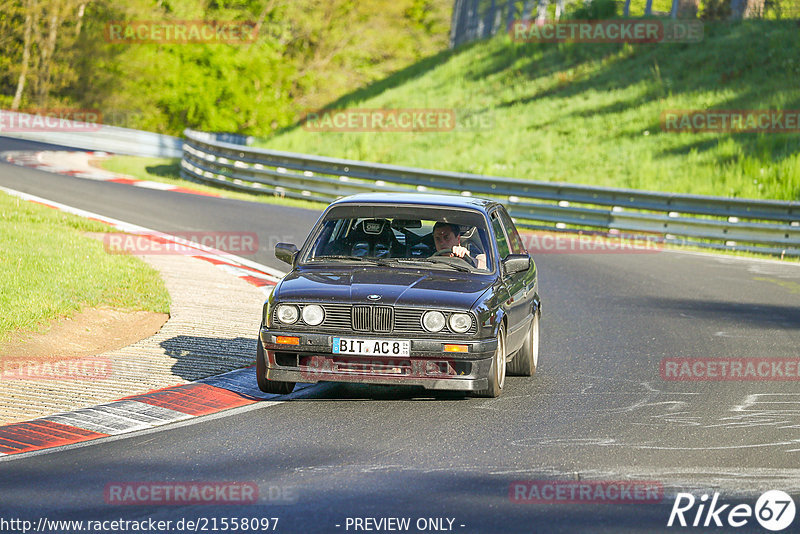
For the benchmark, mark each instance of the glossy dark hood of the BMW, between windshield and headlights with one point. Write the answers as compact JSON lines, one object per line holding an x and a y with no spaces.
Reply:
{"x":402,"y":287}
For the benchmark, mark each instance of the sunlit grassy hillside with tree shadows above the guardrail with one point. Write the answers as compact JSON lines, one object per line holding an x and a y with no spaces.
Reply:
{"x":590,"y":113}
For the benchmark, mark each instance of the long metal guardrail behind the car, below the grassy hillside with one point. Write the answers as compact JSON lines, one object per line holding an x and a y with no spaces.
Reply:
{"x":767,"y":226}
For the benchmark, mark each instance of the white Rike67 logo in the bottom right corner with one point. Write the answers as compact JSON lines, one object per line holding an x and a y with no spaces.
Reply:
{"x":774,"y":510}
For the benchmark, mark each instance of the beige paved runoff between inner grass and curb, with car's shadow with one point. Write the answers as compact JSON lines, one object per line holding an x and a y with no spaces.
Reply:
{"x":213,"y":325}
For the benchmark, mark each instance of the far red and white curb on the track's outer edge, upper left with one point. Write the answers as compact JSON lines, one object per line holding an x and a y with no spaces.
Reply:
{"x":76,"y":163}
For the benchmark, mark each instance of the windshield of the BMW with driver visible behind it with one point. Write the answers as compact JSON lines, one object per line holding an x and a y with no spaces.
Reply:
{"x":435,"y":237}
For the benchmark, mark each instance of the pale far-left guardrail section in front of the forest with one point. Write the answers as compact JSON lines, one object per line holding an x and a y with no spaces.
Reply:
{"x":89,"y":136}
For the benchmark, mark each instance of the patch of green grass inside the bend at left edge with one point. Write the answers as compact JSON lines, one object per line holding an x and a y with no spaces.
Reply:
{"x":48,"y":269}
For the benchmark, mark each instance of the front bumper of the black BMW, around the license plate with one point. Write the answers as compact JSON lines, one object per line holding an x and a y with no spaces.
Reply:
{"x":428,"y":365}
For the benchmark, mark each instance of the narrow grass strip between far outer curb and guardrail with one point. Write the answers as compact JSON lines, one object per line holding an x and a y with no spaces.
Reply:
{"x":168,"y":171}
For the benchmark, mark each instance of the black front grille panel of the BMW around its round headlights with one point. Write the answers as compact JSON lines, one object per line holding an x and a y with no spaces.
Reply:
{"x":341,"y":318}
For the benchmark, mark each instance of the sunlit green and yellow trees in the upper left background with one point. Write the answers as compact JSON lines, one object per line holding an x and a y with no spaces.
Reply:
{"x":56,"y":54}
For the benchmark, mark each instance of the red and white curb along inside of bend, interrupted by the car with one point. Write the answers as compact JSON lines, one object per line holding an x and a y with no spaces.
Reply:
{"x":159,"y":407}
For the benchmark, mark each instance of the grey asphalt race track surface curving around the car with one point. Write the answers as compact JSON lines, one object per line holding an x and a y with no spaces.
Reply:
{"x":598,"y":408}
